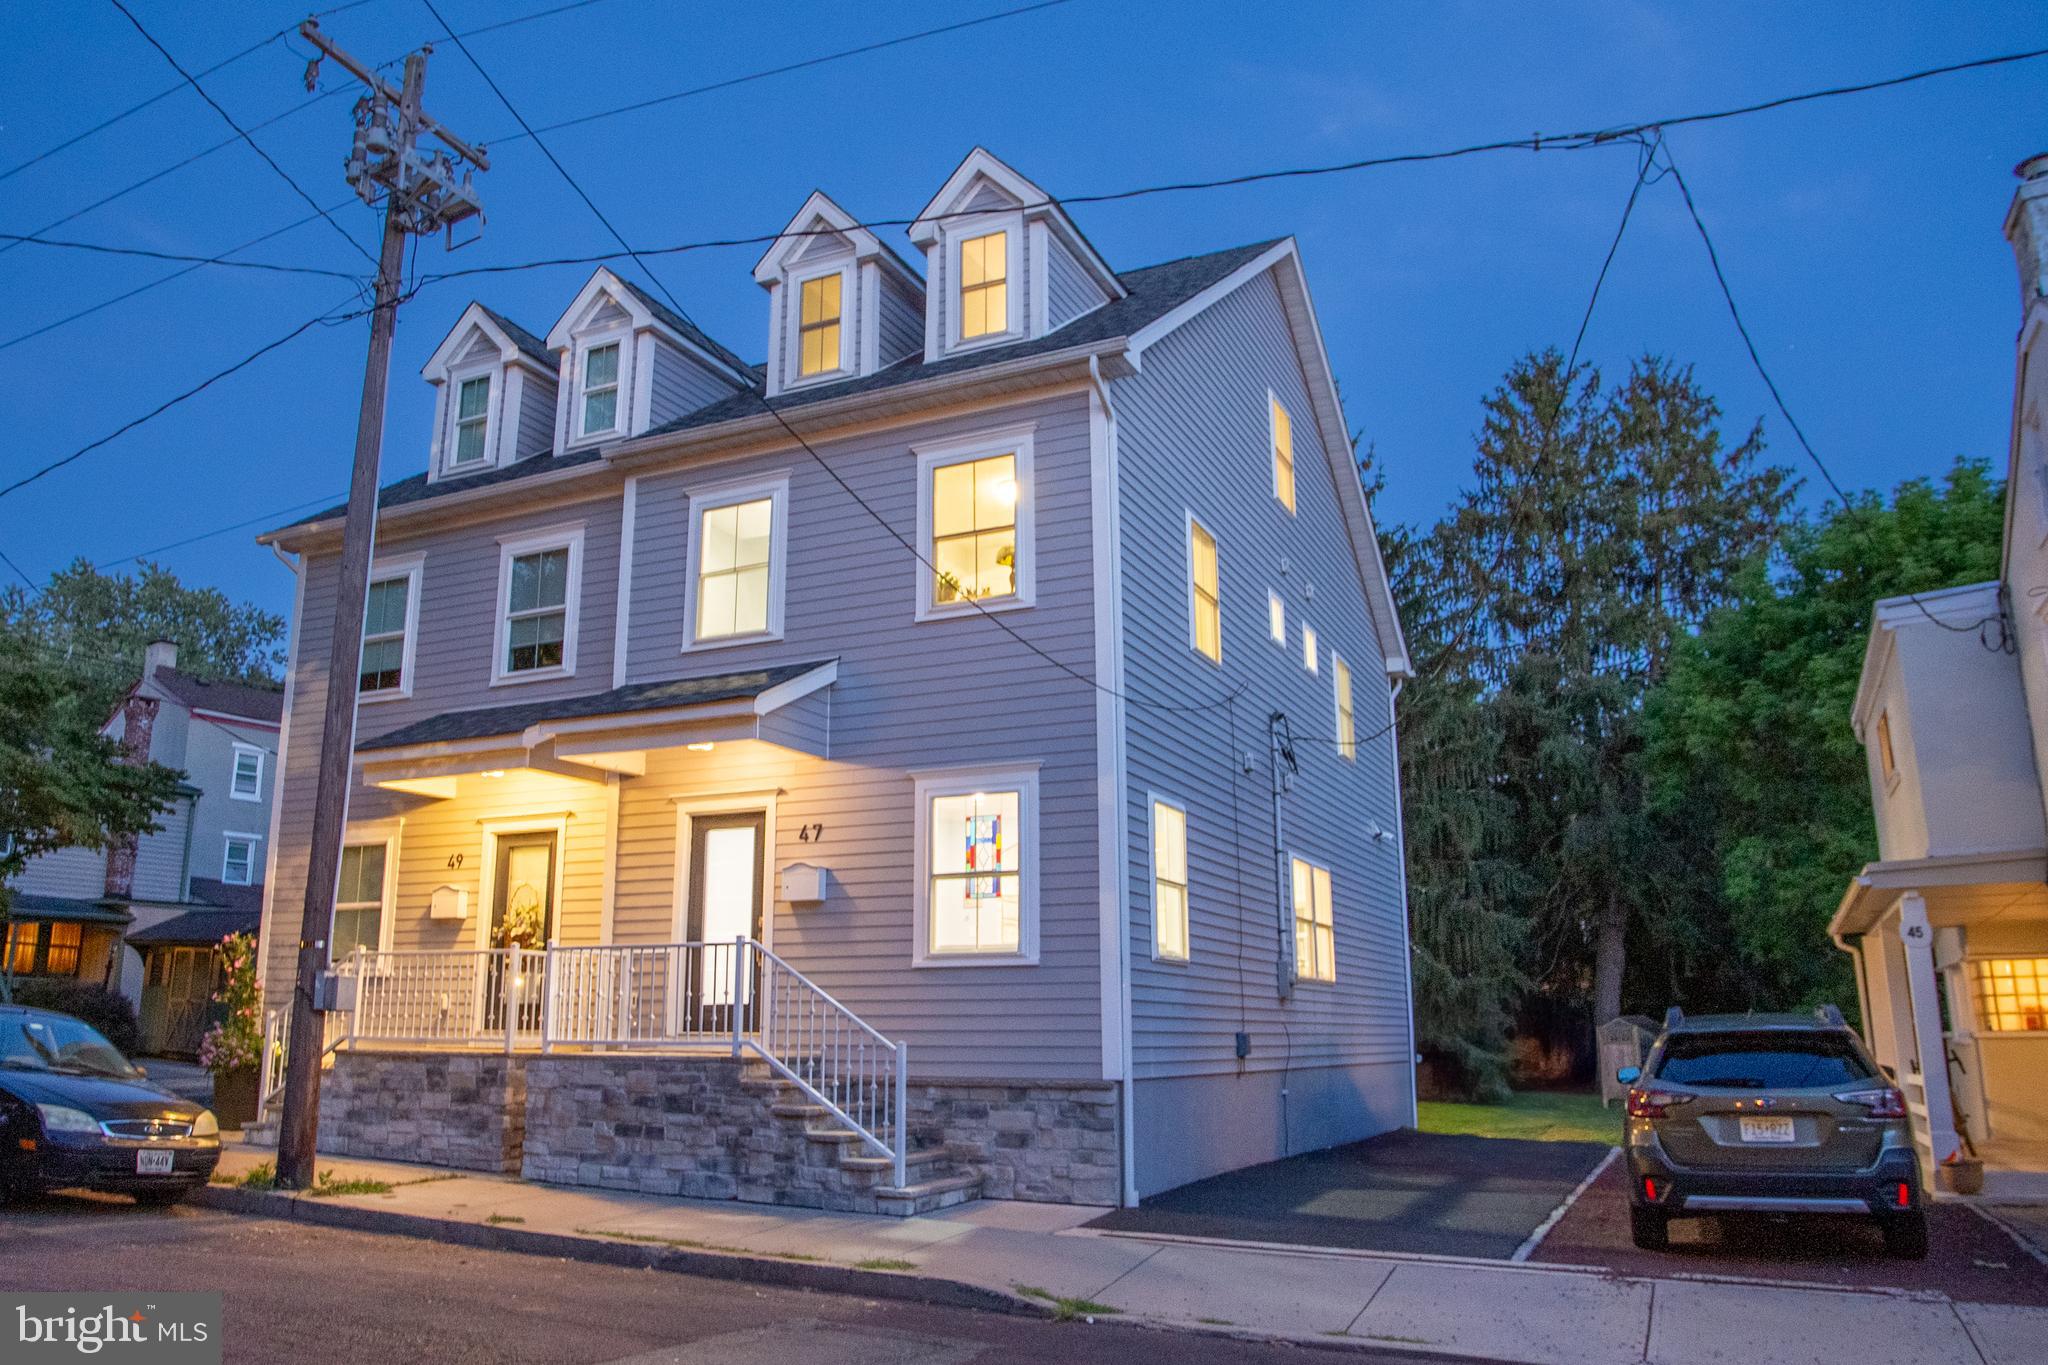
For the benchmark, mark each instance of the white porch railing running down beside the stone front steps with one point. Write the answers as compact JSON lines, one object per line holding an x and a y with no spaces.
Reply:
{"x":663,"y":996}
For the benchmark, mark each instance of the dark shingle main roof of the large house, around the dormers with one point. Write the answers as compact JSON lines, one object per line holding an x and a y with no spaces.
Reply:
{"x":1154,"y":294}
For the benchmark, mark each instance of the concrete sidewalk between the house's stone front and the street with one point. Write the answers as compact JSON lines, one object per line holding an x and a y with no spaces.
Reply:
{"x":1037,"y":1253}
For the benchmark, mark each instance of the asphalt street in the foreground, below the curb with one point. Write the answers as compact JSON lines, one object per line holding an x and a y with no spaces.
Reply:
{"x":310,"y":1294}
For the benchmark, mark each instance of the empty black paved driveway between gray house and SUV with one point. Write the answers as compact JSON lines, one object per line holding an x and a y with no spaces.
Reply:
{"x":1408,"y":1192}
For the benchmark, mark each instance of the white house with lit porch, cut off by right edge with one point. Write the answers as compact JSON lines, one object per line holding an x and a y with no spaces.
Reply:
{"x":1951,"y":926}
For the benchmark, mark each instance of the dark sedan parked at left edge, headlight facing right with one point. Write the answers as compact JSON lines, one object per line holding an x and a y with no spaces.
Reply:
{"x":75,"y":1114}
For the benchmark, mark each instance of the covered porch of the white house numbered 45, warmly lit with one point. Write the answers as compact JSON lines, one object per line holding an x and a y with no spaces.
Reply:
{"x":1953,"y":979}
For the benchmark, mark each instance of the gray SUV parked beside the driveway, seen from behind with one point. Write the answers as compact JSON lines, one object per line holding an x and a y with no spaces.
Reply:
{"x":1768,"y":1114}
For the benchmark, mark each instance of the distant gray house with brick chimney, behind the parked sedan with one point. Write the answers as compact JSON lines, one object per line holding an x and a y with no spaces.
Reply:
{"x":146,"y":918}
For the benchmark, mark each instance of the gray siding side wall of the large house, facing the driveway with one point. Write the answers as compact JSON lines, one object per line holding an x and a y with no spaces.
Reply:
{"x":1193,"y":437}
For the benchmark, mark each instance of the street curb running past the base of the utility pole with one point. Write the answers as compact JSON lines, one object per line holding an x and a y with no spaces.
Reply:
{"x":771,"y":1272}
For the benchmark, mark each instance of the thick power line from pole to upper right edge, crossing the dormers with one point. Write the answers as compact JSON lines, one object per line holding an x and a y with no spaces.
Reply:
{"x":1537,"y":142}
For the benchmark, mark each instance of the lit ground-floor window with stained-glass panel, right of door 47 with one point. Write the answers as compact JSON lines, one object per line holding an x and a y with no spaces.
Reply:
{"x":978,"y":854}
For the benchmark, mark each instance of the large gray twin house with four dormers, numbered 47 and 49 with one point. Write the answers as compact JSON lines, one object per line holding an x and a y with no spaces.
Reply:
{"x":949,"y":758}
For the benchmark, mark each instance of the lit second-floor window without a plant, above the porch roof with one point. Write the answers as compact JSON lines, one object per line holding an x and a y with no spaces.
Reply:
{"x":736,"y":564}
